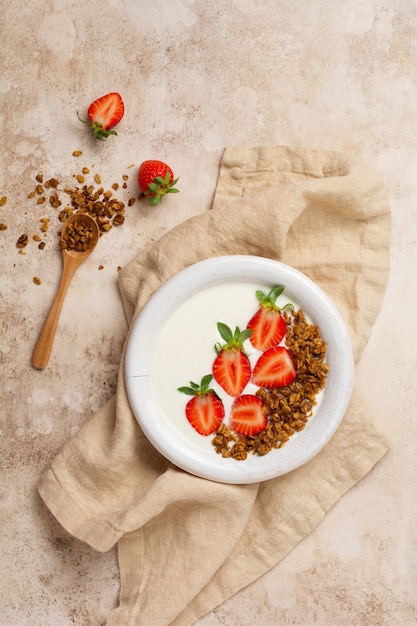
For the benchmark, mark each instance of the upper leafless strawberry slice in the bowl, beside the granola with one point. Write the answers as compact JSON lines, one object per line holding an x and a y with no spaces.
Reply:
{"x":274,"y":368}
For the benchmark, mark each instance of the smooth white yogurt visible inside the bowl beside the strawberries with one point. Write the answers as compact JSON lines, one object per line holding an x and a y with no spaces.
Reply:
{"x":185,"y":350}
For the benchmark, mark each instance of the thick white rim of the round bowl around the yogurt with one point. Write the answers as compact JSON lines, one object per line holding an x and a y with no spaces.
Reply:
{"x":176,"y":290}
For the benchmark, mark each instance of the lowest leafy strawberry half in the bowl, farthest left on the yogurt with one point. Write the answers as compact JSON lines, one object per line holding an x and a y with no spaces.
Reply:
{"x":205,"y":410}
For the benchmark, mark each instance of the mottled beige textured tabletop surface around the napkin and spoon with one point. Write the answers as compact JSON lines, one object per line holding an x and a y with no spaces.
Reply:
{"x":197,"y":76}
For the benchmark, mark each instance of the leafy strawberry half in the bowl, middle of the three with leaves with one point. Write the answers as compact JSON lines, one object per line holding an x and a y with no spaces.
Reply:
{"x":231,"y":368}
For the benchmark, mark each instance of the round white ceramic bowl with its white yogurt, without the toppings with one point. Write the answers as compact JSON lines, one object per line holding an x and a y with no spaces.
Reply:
{"x":172,"y":341}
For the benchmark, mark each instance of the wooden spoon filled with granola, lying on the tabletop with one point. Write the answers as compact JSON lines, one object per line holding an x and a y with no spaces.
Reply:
{"x":72,"y":259}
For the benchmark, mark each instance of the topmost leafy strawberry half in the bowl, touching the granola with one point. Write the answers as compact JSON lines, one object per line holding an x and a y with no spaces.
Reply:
{"x":267,"y":324}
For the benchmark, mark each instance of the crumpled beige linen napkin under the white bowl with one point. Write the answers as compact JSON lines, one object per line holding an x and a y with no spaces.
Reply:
{"x":185,"y":544}
